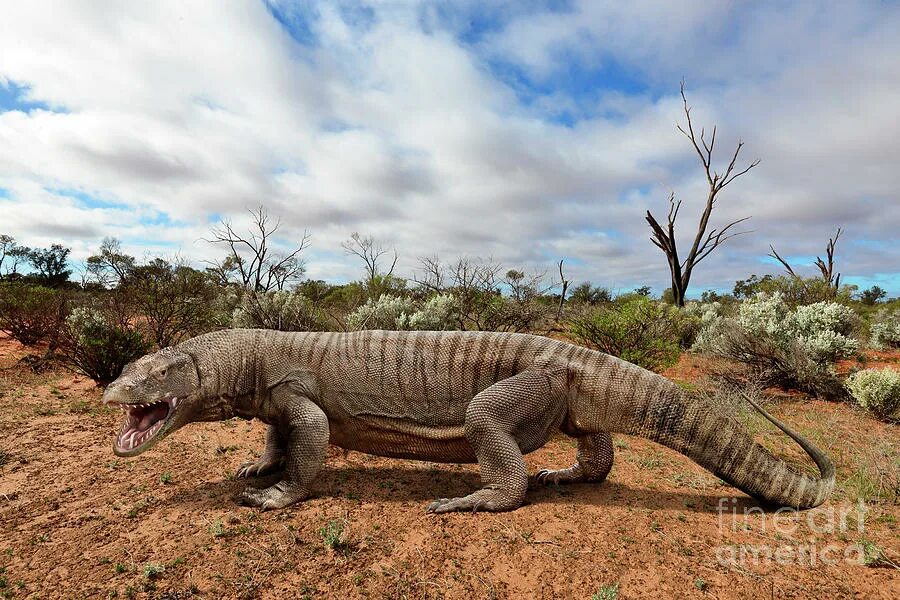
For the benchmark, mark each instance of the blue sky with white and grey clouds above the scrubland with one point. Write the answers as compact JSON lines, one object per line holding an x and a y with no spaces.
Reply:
{"x":521,"y":131}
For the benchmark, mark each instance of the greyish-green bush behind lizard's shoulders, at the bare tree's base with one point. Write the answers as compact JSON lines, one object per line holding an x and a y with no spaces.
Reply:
{"x":281,"y":310}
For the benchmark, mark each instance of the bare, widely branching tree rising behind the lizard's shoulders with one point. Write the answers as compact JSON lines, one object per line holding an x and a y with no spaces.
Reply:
{"x":251,"y":261}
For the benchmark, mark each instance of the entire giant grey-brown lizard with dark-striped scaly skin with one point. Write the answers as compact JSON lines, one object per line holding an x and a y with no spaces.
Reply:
{"x":440,"y":396}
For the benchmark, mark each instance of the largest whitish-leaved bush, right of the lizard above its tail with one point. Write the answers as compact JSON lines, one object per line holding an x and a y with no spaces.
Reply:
{"x":775,"y":344}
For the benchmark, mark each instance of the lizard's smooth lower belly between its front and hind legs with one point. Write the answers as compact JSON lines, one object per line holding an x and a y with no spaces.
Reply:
{"x":402,"y":438}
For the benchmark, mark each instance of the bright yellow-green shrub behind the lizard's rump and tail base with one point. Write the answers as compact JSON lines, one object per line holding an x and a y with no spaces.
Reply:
{"x":636,"y":329}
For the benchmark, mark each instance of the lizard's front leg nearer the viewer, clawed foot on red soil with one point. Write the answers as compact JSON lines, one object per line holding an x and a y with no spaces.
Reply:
{"x":307,"y":439}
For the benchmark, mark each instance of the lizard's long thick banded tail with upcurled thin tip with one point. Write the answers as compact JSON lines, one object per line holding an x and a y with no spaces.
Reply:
{"x":645,"y":404}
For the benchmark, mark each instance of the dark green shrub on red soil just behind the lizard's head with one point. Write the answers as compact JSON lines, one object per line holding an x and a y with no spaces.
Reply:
{"x":96,"y":348}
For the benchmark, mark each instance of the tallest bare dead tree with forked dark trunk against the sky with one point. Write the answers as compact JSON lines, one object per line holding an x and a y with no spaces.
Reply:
{"x":704,"y":241}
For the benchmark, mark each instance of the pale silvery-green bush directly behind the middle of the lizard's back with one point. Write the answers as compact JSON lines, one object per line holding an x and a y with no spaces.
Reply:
{"x":391,"y":312}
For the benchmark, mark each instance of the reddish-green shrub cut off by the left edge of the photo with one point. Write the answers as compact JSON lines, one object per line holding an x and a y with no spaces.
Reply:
{"x":31,"y":313}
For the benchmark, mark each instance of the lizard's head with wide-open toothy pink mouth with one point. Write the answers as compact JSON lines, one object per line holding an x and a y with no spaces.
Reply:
{"x":155,"y":394}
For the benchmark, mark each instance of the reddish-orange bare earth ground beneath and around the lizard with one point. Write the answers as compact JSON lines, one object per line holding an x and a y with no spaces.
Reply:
{"x":77,"y":522}
